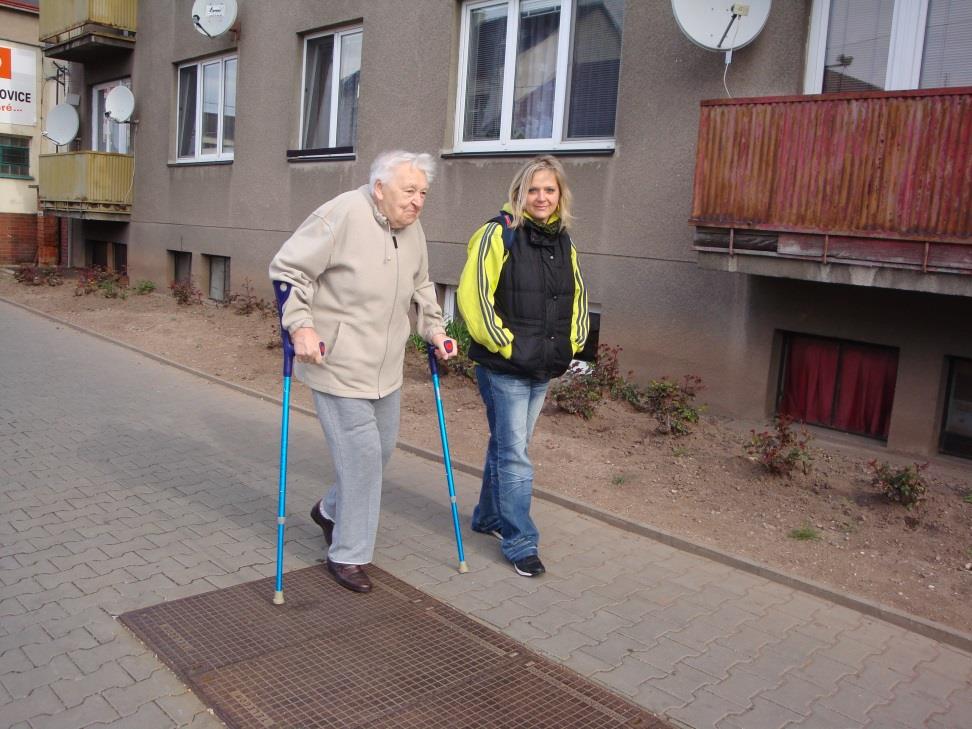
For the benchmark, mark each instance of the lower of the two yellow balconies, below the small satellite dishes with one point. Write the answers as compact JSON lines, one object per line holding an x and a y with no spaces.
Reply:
{"x":88,"y":185}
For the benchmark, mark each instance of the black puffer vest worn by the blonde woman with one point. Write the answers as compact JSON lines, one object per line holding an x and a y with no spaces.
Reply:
{"x":535,"y":299}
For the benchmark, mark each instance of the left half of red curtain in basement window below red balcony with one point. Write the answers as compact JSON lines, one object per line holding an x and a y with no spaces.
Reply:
{"x":809,"y":380}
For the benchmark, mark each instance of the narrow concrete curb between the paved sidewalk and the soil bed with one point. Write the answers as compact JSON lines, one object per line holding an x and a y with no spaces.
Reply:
{"x":928,"y":628}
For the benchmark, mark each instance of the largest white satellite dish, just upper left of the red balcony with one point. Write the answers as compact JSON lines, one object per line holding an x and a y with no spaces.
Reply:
{"x":721,"y":25}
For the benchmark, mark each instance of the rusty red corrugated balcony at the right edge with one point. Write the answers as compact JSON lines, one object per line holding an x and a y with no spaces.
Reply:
{"x":871,"y":189}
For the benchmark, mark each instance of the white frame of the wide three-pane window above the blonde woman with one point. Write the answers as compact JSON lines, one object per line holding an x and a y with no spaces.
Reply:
{"x":505,"y":143}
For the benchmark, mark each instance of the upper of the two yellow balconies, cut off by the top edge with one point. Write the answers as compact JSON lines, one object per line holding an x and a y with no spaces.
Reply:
{"x":87,"y":30}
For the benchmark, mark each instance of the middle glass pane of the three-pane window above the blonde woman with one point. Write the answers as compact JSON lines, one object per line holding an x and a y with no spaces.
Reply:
{"x":536,"y":69}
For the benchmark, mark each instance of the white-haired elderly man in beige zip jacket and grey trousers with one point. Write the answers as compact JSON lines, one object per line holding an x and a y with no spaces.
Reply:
{"x":356,"y":266}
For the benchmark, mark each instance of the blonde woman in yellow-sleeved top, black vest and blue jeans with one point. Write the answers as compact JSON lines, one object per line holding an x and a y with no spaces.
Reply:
{"x":523,"y":298}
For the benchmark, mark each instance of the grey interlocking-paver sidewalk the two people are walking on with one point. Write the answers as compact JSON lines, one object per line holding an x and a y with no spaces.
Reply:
{"x":124,"y":483}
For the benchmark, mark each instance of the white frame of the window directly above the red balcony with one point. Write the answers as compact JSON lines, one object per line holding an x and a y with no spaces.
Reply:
{"x":905,"y":52}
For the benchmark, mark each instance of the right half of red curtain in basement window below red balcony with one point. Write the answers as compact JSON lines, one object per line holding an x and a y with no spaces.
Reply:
{"x":866,"y":389}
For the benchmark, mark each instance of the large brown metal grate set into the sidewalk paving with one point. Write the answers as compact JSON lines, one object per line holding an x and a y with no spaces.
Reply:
{"x":394,"y":658}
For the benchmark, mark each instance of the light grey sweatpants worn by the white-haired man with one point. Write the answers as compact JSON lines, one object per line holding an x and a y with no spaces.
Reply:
{"x":361,"y":435}
